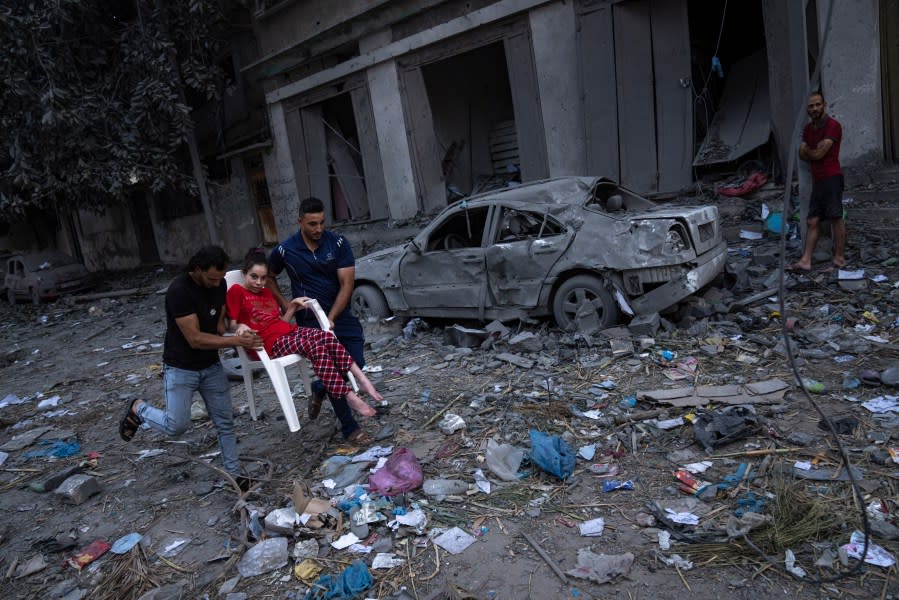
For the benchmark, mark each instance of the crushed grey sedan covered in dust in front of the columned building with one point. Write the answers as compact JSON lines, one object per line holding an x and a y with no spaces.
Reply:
{"x":581,"y":249}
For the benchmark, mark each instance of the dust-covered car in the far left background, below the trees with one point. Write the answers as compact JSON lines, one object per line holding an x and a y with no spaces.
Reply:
{"x":44,"y":276}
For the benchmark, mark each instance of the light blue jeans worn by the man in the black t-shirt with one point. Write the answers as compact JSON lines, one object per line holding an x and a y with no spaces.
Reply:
{"x":180,"y":385}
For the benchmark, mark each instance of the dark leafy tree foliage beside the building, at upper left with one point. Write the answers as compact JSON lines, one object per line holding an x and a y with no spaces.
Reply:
{"x":92,"y":98}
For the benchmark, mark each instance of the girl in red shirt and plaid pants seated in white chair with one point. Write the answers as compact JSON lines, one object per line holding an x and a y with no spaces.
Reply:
{"x":254,"y":308}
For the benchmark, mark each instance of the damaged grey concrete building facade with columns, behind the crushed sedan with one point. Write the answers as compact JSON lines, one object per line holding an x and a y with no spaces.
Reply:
{"x":392,"y":109}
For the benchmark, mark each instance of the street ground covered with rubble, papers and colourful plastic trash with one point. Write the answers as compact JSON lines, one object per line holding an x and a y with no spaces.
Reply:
{"x":676,"y":452}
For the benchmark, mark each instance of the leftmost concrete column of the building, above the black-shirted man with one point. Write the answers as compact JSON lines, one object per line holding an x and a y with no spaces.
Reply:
{"x":281,"y":175}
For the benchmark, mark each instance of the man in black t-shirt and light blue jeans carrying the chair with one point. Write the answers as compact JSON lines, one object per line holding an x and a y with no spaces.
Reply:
{"x":195,"y":310}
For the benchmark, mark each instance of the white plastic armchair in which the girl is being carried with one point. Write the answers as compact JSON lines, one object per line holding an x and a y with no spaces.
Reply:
{"x":275,"y":367}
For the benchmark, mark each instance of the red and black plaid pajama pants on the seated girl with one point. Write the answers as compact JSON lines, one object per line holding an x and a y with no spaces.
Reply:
{"x":329,"y":358}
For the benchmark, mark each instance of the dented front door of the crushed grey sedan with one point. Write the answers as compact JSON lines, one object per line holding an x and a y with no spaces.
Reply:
{"x":442,"y":274}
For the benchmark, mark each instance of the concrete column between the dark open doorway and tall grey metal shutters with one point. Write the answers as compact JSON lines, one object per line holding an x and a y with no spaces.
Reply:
{"x":555,"y":56}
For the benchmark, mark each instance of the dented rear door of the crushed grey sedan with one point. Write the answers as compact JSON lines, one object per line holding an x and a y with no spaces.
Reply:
{"x":526,"y":245}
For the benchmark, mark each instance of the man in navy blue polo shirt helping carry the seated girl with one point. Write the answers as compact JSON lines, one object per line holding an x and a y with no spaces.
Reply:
{"x":321,"y":265}
